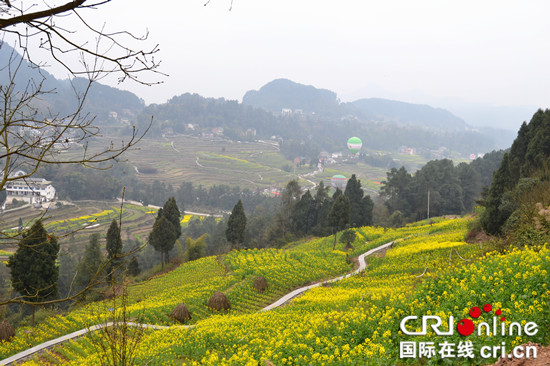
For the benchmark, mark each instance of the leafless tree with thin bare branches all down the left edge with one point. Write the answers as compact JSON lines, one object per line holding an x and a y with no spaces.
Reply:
{"x":32,"y":134}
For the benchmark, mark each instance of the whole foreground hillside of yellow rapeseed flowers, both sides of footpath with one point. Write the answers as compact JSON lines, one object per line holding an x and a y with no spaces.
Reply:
{"x":353,"y":321}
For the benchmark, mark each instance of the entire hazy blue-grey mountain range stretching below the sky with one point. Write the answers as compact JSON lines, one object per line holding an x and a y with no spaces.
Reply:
{"x":315,"y":118}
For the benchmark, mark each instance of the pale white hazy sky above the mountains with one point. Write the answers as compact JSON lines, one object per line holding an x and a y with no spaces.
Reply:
{"x":495,"y":52}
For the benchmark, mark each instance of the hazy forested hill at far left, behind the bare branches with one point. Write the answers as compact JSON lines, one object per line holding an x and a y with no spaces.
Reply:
{"x":59,"y":95}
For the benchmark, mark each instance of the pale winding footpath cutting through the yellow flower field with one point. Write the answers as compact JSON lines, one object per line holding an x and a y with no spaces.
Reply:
{"x":283,"y":300}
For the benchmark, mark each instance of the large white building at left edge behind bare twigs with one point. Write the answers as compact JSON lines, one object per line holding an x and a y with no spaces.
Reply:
{"x":31,"y":190}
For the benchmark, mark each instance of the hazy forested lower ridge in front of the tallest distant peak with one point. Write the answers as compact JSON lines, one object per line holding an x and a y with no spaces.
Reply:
{"x":302,"y":134}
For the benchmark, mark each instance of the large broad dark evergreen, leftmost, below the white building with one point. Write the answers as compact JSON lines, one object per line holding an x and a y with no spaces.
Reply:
{"x":34,"y":273}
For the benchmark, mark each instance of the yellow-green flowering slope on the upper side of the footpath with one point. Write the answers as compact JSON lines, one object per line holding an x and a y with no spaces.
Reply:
{"x":195,"y":282}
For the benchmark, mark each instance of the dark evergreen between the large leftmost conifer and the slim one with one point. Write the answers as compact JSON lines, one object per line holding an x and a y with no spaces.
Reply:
{"x":88,"y":269}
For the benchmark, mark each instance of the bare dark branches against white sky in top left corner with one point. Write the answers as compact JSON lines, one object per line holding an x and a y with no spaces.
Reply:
{"x":116,"y":57}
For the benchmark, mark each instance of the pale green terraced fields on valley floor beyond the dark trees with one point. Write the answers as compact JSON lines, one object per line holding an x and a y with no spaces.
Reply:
{"x":254,"y":165}
